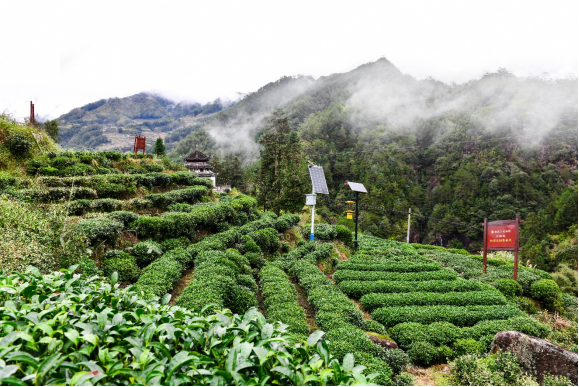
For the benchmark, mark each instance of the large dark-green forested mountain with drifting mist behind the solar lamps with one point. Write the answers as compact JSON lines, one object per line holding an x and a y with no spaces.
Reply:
{"x":491,"y":147}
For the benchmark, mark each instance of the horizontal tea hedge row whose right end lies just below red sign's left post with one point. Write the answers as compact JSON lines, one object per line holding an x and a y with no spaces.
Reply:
{"x":357,"y":289}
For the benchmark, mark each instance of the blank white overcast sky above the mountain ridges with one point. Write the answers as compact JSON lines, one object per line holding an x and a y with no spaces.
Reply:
{"x":64,"y":54}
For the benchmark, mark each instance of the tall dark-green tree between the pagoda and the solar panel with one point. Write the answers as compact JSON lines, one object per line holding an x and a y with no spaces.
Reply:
{"x":282,"y":179}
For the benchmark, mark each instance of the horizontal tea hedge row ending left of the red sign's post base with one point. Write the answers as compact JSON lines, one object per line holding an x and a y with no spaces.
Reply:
{"x":353,"y":275}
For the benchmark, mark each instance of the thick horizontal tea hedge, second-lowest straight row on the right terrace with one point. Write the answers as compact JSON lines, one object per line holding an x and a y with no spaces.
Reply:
{"x":457,"y":315}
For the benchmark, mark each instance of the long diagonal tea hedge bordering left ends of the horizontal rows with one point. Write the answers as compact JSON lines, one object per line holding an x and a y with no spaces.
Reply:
{"x":341,"y":319}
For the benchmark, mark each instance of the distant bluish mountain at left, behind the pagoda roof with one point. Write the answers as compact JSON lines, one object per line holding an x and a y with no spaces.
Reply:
{"x":112,"y":123}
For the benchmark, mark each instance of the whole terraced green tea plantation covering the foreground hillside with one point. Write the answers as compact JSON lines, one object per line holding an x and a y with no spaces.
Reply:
{"x":120,"y":270}
